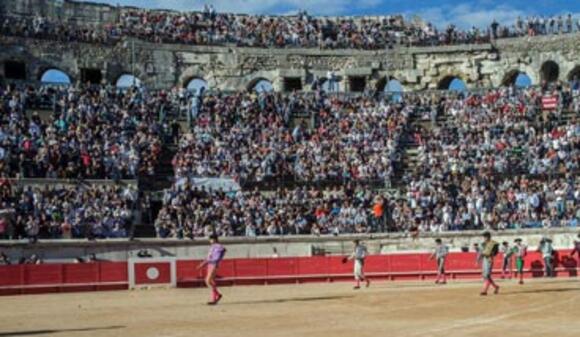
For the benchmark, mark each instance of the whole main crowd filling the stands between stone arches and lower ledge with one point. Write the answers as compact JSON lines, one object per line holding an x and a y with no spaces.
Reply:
{"x":494,"y":159}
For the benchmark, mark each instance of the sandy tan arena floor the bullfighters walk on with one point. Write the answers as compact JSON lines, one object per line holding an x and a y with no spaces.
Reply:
{"x":539,"y":308}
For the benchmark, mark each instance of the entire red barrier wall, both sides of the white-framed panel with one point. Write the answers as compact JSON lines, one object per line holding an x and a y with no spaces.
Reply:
{"x":25,"y":279}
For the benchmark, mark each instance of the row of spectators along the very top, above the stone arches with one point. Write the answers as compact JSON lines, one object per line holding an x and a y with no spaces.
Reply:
{"x":209,"y":27}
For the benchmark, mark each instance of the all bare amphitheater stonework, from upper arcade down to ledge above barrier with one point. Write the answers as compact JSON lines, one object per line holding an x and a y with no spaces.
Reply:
{"x":231,"y":69}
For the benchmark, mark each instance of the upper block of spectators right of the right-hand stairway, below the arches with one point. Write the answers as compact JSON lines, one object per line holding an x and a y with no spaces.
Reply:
{"x":500,"y":131}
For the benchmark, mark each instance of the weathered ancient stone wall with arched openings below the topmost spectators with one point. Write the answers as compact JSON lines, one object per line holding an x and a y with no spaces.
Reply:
{"x":231,"y":68}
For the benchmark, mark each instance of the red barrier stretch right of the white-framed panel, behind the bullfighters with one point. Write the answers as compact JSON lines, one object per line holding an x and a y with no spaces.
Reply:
{"x":388,"y":267}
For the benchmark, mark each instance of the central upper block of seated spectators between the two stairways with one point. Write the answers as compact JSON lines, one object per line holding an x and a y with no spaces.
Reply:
{"x":247,"y":137}
